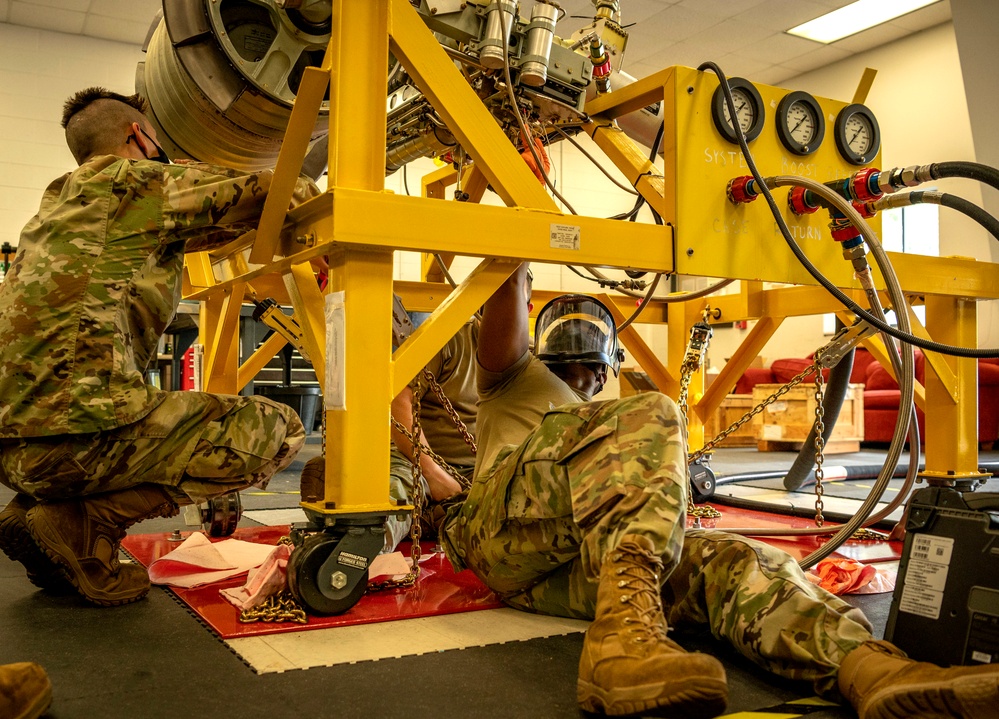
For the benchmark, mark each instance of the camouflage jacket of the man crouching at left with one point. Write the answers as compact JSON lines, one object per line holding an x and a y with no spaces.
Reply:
{"x":96,"y":281}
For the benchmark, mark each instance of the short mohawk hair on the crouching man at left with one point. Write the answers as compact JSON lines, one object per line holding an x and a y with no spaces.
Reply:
{"x":97,"y":121}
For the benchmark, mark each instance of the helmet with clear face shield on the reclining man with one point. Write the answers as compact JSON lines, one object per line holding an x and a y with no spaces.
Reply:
{"x":577,"y":328}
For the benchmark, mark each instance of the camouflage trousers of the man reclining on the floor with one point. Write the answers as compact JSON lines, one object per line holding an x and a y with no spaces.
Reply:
{"x":538,"y":523}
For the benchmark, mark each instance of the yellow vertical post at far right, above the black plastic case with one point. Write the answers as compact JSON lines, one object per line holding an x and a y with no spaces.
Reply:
{"x":952,"y":426}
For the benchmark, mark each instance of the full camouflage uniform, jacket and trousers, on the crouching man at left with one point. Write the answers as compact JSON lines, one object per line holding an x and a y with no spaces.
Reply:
{"x":95,"y":282}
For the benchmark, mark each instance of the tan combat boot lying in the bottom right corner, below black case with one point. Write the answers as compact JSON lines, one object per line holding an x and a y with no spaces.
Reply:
{"x":882,"y":683}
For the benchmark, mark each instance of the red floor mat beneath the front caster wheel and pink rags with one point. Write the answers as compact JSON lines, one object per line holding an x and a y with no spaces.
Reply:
{"x":439,"y":591}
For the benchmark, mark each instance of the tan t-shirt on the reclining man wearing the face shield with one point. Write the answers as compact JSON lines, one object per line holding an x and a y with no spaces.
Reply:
{"x":512,"y":404}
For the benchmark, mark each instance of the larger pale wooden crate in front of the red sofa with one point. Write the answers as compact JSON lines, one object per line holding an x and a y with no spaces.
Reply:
{"x":785,"y":424}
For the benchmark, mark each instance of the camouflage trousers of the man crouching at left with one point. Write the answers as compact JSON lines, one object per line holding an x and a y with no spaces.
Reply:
{"x":197,"y":445}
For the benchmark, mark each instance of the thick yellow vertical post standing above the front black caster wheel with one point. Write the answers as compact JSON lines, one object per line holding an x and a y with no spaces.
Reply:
{"x":357,"y":418}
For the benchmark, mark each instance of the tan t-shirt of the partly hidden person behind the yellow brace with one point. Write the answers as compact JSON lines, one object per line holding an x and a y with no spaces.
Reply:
{"x":454,"y":369}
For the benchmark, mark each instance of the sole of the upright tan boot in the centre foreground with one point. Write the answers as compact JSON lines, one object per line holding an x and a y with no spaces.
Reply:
{"x":694,"y":700}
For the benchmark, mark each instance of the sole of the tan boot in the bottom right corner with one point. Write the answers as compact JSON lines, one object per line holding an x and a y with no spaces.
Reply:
{"x":969,"y":697}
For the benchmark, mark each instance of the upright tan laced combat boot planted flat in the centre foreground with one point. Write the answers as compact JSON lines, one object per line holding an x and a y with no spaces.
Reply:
{"x":628,"y":665}
